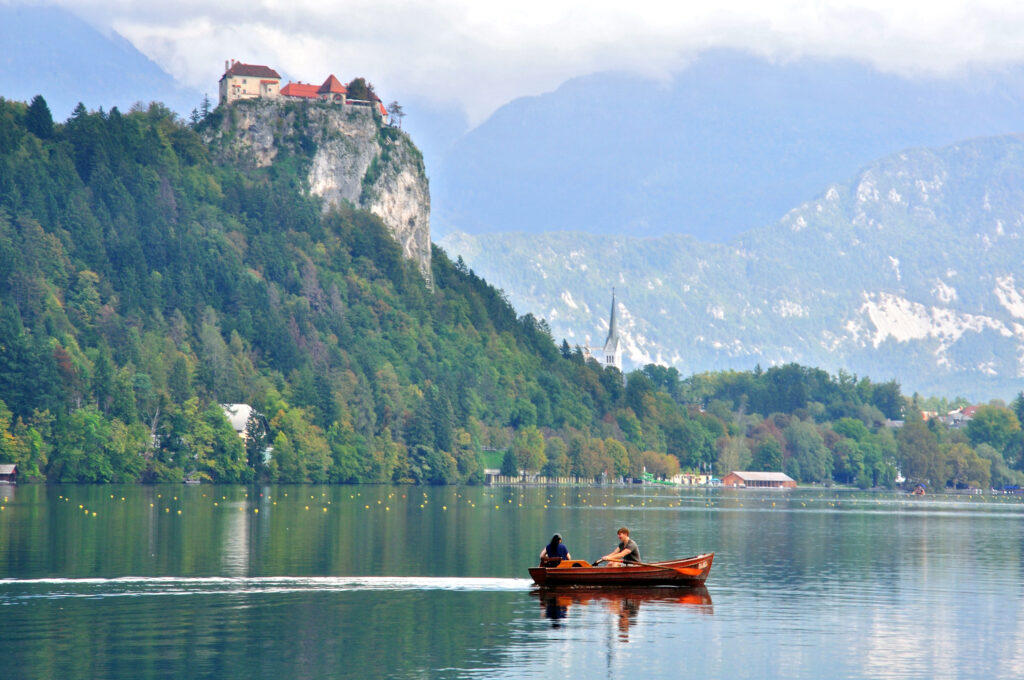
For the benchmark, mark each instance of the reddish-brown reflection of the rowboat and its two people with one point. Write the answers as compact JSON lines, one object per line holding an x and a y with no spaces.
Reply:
{"x":623,"y":604}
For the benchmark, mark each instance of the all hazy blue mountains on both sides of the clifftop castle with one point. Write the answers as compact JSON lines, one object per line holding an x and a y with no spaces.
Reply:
{"x":739,"y":207}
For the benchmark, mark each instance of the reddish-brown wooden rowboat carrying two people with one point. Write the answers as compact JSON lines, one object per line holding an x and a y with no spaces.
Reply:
{"x":689,"y":573}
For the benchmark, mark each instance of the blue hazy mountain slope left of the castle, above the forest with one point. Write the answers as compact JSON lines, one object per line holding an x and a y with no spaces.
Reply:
{"x":51,"y":52}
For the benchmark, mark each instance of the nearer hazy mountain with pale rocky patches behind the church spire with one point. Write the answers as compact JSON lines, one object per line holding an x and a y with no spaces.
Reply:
{"x":911,"y":270}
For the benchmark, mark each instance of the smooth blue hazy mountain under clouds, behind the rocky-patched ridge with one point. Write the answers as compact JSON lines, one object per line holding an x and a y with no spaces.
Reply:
{"x":729,"y":145}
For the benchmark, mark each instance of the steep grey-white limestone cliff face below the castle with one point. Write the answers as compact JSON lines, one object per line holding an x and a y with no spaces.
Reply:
{"x":352,"y":157}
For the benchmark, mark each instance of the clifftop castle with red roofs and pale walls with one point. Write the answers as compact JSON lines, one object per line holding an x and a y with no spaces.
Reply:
{"x":255,"y":81}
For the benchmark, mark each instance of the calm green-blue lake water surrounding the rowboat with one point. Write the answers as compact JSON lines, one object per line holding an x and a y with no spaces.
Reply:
{"x":382,"y":582}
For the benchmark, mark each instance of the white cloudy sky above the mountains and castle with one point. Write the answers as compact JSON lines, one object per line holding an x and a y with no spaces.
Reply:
{"x":483,"y":54}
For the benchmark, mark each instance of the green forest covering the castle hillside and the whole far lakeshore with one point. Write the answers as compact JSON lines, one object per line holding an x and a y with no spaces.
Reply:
{"x":144,"y":285}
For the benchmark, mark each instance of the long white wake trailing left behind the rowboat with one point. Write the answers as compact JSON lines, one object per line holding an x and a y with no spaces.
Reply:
{"x":15,"y":590}
